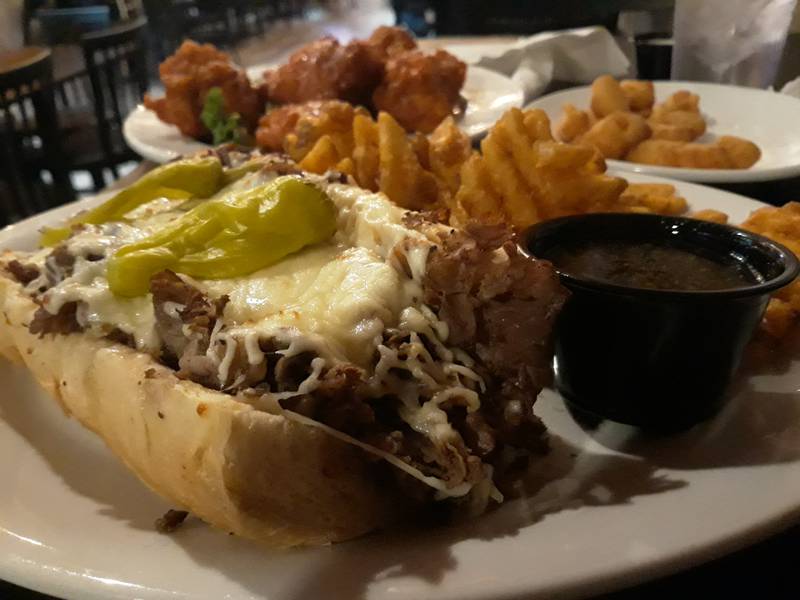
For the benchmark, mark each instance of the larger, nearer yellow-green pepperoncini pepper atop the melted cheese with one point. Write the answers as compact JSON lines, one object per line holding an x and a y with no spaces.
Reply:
{"x":229,"y":236}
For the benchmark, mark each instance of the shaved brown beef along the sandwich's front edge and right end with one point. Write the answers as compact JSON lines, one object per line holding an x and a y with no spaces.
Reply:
{"x":499,"y":306}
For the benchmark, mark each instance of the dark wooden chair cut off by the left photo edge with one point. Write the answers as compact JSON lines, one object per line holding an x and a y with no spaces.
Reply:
{"x":33,"y":175}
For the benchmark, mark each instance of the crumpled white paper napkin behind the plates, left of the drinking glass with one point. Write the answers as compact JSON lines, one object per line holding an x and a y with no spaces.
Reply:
{"x":574,"y":55}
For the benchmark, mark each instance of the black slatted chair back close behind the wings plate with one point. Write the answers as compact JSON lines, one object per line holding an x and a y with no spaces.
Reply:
{"x":117,"y":68}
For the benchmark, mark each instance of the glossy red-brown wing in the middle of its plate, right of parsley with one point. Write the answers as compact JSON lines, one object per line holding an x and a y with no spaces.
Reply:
{"x":325,"y":70}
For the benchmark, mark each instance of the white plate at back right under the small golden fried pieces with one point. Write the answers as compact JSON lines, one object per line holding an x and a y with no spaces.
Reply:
{"x":763,"y":117}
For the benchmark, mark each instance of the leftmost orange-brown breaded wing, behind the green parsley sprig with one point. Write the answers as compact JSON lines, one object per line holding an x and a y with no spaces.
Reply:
{"x":188,"y":75}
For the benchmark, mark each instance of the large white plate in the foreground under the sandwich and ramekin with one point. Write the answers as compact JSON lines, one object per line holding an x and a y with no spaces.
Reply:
{"x":75,"y":523}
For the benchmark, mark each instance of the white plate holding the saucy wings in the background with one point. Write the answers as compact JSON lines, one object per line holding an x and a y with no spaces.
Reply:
{"x":488,"y":96}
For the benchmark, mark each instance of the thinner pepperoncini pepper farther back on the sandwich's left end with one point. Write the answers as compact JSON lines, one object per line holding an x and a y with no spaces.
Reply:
{"x":192,"y":178}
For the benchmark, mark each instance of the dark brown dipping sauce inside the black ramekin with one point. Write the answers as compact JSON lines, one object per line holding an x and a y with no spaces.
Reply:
{"x":651,"y":266}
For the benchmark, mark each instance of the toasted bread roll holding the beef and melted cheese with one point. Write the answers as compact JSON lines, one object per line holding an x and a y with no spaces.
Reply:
{"x":255,"y":474}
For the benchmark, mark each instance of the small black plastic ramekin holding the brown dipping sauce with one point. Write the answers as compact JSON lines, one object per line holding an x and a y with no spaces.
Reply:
{"x":658,"y":359}
